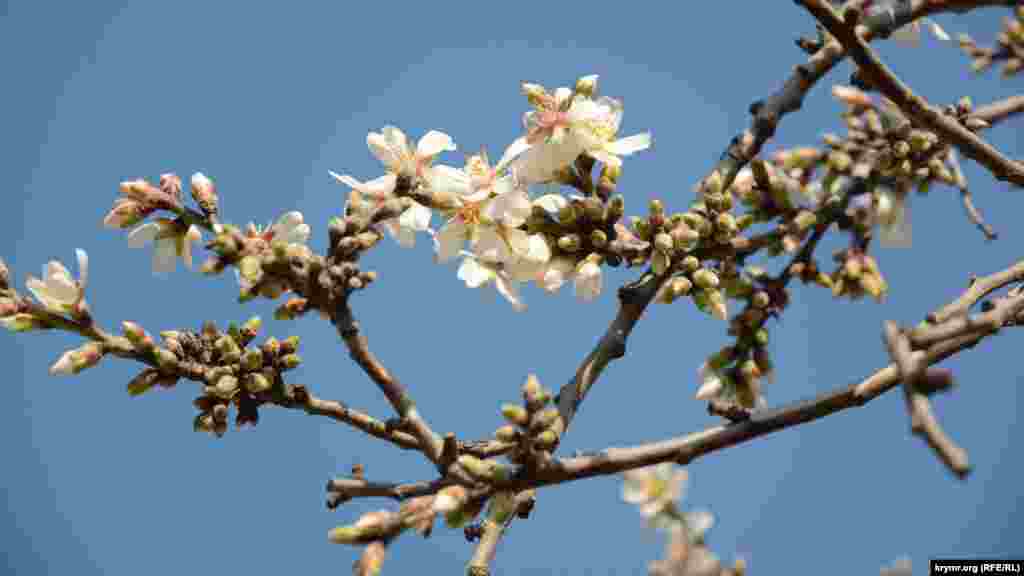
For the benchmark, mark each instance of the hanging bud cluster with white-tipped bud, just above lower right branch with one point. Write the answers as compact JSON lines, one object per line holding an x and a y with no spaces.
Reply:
{"x":732,"y":379}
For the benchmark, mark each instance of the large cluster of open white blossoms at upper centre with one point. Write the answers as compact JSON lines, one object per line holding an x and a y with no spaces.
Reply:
{"x":486,"y":208}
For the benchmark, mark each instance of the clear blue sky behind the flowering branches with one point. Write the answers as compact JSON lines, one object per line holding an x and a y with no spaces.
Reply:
{"x":266,"y":99}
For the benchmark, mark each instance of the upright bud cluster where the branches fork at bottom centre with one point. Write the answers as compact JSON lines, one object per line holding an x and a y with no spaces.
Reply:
{"x":534,"y":426}
